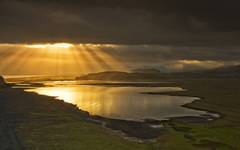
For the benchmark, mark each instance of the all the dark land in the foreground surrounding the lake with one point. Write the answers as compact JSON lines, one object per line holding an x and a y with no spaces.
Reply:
{"x":30,"y":121}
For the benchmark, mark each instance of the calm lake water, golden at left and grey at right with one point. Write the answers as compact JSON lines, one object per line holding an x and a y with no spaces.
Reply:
{"x":121,"y":102}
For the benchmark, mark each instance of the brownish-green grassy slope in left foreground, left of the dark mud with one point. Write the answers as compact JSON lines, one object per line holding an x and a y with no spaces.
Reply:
{"x":43,"y":123}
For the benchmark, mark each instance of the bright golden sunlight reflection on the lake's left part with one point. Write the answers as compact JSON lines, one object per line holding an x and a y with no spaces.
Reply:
{"x":86,"y":98}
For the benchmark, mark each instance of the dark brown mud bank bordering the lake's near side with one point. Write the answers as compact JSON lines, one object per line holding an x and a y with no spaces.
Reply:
{"x":129,"y":128}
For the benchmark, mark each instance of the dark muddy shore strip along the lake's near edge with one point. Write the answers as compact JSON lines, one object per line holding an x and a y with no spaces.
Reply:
{"x":138,"y":130}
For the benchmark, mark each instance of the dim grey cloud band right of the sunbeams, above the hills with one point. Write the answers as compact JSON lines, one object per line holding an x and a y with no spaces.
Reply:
{"x":169,"y":58}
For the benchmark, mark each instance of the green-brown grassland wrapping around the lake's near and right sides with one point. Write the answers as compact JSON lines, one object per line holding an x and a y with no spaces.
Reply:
{"x":58,"y":129}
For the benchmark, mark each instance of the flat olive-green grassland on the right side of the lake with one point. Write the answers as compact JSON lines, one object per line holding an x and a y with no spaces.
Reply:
{"x":218,"y":95}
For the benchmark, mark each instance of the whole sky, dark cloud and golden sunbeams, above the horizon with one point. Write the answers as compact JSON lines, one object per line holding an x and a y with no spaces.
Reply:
{"x":171,"y":35}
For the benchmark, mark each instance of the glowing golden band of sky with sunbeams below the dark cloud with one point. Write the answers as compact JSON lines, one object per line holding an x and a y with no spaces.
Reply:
{"x":62,"y":58}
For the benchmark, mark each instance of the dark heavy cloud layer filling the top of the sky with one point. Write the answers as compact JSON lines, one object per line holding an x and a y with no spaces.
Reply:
{"x":166,"y":22}
